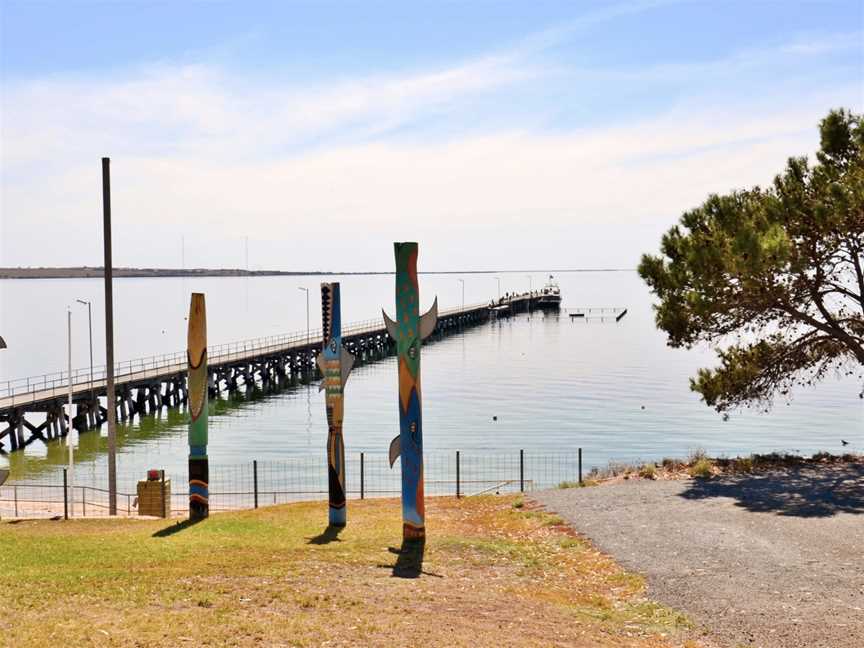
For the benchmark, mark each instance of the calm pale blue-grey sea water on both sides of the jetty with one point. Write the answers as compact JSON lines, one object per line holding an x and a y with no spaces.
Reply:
{"x":614,"y":389}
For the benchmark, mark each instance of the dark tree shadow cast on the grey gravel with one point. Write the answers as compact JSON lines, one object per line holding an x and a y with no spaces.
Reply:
{"x":813,"y":491}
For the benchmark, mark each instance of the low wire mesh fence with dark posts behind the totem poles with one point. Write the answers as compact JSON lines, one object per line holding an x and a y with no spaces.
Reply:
{"x":265,"y":483}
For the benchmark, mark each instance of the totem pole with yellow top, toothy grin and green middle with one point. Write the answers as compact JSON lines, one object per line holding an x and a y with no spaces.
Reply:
{"x":199,"y":470}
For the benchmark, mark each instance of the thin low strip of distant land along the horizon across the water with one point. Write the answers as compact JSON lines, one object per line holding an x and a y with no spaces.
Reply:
{"x":87,"y":272}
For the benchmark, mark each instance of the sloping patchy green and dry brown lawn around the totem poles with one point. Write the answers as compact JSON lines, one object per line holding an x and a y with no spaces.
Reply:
{"x":493,"y":575}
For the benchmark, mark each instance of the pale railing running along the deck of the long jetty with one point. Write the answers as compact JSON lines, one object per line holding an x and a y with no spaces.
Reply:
{"x":57,"y":383}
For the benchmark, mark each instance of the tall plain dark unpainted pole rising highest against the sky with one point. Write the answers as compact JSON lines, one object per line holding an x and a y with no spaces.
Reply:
{"x":111,"y":405}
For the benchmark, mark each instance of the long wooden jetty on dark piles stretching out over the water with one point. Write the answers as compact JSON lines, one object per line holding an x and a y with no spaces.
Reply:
{"x":32,"y":409}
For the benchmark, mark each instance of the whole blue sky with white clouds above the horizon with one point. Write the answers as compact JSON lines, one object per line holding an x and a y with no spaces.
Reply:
{"x":506,"y":135}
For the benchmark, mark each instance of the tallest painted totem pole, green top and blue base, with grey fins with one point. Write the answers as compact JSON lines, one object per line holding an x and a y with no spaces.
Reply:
{"x":409,"y":330}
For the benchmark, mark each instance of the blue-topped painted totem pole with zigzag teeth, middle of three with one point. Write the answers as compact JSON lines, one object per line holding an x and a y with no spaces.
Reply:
{"x":335,"y":364}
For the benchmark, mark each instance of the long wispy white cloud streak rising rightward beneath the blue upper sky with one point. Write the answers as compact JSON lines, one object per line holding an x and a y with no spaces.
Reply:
{"x":198,"y":108}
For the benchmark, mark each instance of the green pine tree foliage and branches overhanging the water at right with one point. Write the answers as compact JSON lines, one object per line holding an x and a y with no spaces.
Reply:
{"x":771,"y":277}
